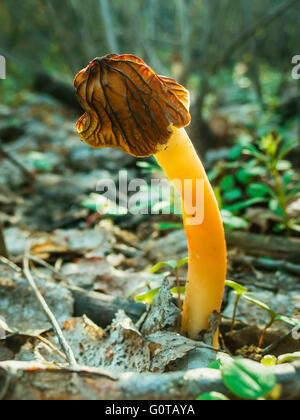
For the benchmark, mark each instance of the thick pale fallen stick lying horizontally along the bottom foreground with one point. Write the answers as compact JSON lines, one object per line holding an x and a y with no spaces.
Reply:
{"x":41,"y":381}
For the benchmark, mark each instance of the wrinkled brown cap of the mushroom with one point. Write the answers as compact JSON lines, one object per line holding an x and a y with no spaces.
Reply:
{"x":128,"y":106}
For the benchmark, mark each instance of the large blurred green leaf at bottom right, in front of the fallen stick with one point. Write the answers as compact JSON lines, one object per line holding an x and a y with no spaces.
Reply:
{"x":247,"y":379}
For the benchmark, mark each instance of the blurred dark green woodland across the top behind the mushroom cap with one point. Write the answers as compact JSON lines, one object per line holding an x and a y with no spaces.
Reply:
{"x":230,"y":53}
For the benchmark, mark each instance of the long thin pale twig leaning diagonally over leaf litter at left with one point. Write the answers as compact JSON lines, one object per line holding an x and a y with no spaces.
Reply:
{"x":65,"y":346}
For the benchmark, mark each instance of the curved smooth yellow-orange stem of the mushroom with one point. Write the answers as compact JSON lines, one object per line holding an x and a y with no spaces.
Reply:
{"x":206,"y":239}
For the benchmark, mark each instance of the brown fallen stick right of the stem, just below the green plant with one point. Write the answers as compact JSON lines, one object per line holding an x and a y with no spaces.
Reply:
{"x":261,"y":245}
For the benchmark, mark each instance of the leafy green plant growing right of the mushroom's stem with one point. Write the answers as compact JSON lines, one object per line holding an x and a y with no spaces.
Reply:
{"x":257,"y":174}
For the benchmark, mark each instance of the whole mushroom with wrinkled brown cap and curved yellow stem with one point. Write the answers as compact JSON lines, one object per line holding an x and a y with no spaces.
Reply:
{"x":130,"y":107}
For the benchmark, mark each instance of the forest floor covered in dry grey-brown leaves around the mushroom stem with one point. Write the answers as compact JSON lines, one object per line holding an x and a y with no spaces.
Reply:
{"x":46,"y":221}
